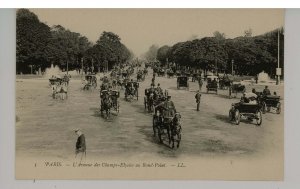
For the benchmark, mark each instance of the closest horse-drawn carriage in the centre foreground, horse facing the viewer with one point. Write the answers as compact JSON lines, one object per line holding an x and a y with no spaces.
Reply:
{"x":167,"y":126}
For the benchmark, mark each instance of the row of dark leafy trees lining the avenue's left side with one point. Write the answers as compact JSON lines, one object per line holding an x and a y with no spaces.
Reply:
{"x":39,"y":45}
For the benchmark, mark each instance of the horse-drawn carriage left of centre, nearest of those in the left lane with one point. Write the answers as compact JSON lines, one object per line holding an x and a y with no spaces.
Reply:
{"x":109,"y":100}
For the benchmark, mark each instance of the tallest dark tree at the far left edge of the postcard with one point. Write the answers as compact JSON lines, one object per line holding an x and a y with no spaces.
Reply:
{"x":32,"y":38}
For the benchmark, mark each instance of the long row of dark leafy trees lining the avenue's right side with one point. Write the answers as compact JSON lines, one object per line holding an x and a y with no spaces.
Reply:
{"x":248,"y":55}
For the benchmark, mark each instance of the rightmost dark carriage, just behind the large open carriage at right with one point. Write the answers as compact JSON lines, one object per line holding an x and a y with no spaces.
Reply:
{"x":269,"y":102}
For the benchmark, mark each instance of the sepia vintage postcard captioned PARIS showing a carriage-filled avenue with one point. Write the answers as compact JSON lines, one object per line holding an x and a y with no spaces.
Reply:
{"x":150,"y":94}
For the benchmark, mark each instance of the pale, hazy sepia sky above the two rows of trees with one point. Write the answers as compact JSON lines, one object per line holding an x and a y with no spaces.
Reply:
{"x":140,"y":28}
